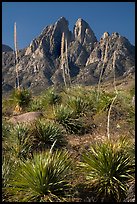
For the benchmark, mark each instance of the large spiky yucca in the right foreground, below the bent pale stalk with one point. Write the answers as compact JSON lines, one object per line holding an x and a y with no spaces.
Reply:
{"x":108,"y":169}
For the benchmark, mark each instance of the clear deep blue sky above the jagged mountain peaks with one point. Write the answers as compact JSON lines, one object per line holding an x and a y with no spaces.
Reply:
{"x":33,"y":17}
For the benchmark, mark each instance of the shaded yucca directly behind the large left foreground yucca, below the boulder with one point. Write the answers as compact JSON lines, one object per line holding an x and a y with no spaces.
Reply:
{"x":45,"y":133}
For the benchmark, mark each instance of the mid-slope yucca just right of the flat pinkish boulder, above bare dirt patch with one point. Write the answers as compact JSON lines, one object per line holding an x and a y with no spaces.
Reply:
{"x":66,"y":117}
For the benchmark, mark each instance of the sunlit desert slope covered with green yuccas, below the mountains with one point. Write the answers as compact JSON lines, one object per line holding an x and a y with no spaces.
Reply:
{"x":66,"y":155}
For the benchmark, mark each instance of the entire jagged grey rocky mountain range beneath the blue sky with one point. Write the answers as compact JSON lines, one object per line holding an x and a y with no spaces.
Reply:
{"x":39,"y":63}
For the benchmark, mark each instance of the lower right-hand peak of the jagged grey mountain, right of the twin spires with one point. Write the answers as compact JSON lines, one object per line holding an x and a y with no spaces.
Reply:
{"x":102,"y":58}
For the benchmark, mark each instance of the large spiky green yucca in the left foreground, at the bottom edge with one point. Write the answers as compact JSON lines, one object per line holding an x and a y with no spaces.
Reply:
{"x":43,"y":178}
